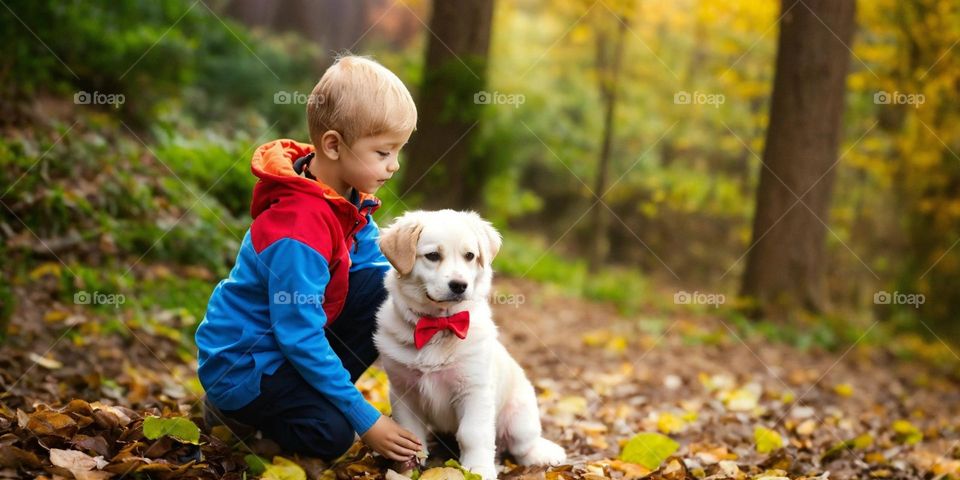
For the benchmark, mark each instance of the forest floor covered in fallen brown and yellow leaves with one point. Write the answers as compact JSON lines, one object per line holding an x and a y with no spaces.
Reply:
{"x":706,"y":402}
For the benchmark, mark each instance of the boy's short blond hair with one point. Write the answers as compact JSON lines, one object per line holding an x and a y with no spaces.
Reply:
{"x":358,"y":97}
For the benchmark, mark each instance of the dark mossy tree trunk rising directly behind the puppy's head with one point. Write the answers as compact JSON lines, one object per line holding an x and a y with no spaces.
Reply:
{"x":440,"y":168}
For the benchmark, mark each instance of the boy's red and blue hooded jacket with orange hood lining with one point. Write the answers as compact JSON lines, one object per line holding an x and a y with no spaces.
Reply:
{"x":289,"y":282}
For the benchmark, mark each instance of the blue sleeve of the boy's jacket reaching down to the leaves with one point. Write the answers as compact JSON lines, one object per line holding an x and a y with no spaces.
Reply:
{"x":297,"y":278}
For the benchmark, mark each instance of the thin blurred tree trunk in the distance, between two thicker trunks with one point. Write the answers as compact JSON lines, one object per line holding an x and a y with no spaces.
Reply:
{"x":609,"y":62}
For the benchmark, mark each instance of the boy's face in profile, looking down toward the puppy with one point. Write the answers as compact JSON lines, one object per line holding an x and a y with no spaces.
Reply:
{"x":370,"y":161}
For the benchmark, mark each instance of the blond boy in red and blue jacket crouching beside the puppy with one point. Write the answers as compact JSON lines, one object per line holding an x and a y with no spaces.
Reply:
{"x":288,"y":333}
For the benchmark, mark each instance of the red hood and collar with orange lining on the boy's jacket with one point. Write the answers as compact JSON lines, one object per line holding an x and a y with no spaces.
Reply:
{"x":272,"y":163}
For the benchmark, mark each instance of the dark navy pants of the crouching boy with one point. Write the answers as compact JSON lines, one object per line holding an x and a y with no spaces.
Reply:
{"x":290,"y":411}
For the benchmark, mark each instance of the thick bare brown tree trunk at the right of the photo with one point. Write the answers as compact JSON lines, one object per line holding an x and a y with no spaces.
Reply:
{"x":784,"y":270}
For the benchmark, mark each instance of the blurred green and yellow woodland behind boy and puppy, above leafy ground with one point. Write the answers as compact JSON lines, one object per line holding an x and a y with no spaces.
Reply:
{"x":532,"y":112}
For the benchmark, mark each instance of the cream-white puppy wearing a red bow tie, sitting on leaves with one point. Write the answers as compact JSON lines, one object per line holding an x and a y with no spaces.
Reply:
{"x":438,"y":343}
